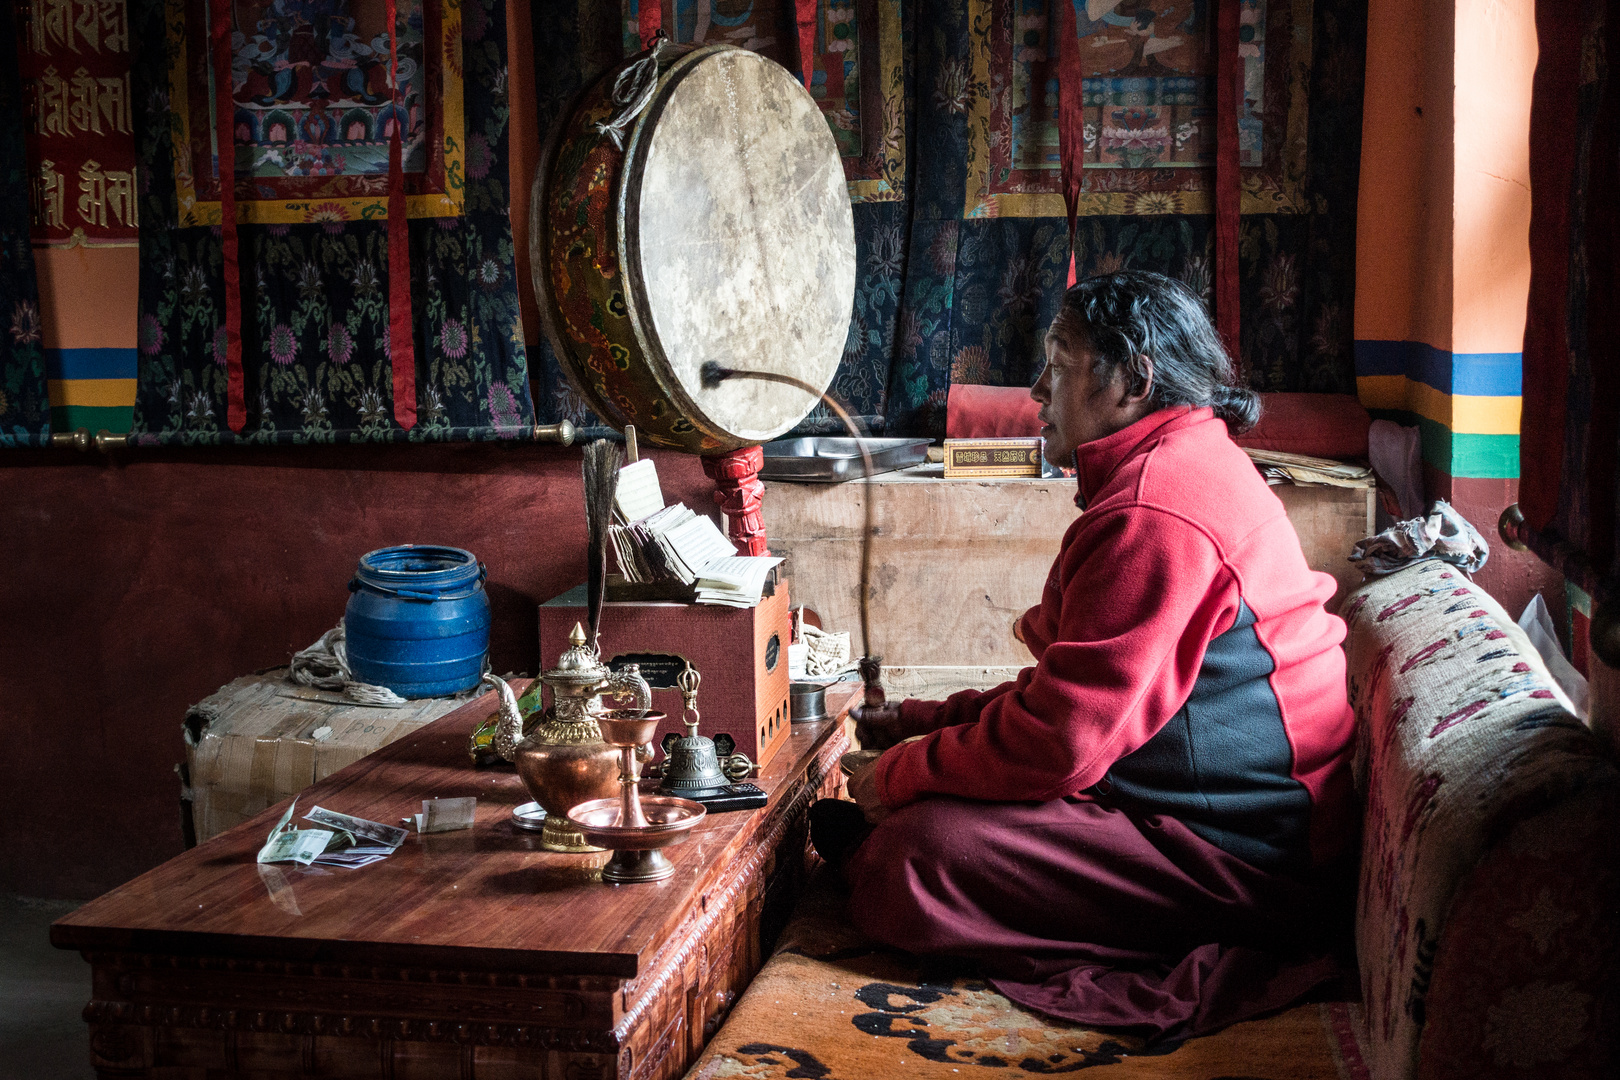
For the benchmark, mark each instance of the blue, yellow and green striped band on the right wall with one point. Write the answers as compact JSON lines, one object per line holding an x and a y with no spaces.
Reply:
{"x":1465,"y":404}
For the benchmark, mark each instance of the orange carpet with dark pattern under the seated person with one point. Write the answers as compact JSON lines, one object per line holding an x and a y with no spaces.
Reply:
{"x":833,"y":1006}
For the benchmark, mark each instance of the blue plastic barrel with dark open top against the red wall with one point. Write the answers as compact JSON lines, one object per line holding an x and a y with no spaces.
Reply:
{"x":419,"y":621}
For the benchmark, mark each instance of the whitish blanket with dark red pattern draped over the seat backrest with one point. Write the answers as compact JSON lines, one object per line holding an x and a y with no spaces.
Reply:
{"x":1460,"y":734}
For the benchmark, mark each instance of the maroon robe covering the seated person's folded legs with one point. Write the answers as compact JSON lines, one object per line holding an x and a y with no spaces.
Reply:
{"x":1093,"y":914}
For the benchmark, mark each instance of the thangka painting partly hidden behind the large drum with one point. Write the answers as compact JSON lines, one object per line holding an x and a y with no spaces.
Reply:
{"x":858,"y":70}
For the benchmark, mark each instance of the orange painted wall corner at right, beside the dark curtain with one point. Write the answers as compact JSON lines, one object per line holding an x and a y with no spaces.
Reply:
{"x":1443,"y":234}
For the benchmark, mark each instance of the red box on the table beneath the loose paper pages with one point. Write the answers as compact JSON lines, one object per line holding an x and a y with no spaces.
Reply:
{"x":741,"y":655}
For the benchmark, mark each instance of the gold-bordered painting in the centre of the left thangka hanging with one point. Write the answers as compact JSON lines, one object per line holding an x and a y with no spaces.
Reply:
{"x":313,"y":111}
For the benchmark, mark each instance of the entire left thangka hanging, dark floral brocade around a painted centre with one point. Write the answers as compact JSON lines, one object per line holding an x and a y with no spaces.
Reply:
{"x":312,"y":164}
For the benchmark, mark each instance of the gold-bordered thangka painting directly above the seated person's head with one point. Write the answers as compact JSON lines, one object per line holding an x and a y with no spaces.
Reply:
{"x":1148,"y":104}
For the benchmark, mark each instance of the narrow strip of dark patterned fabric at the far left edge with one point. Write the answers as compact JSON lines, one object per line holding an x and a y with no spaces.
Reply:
{"x":25,"y":406}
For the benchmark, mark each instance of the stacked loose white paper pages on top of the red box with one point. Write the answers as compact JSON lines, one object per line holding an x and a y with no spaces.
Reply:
{"x":657,"y":543}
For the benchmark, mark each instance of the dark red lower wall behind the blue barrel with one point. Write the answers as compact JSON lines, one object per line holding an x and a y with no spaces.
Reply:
{"x":139,"y":587}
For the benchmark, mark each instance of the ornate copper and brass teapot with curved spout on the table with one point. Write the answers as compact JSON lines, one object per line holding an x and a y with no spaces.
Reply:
{"x":565,"y":760}
